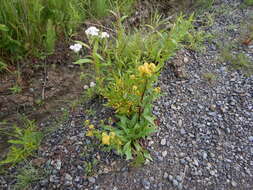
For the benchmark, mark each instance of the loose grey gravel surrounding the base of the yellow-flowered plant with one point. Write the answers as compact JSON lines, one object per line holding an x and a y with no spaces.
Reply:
{"x":204,"y":139}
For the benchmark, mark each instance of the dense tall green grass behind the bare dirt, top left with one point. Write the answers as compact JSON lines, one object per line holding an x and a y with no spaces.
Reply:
{"x":26,"y":25}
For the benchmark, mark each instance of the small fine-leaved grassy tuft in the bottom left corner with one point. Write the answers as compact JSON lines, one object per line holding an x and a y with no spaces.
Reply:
{"x":27,"y":176}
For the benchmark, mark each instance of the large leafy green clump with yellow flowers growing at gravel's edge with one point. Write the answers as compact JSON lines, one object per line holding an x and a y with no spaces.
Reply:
{"x":126,"y":68}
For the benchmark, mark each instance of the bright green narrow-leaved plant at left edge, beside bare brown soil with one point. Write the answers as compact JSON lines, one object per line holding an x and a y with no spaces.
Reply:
{"x":23,"y":143}
